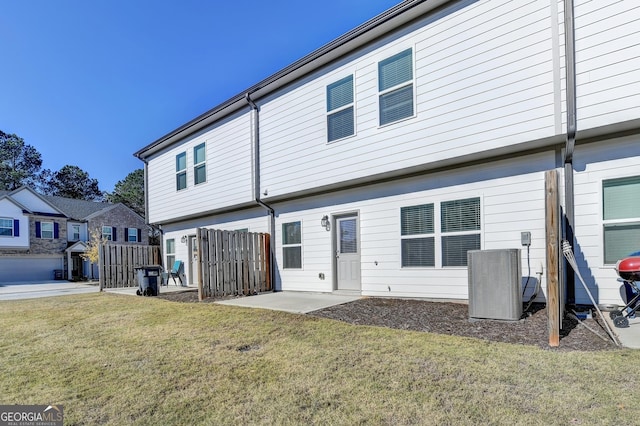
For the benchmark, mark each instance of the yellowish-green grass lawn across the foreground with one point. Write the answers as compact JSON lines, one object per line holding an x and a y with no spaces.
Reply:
{"x":114,"y":359}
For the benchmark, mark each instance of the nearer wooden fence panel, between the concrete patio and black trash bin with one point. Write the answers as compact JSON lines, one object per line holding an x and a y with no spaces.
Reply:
{"x":232,"y":263}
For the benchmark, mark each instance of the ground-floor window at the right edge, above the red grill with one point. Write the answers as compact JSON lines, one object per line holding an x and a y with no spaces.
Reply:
{"x":620,"y":218}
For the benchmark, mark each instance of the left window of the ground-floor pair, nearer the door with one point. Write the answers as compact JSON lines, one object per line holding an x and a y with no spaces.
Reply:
{"x":417,"y":236}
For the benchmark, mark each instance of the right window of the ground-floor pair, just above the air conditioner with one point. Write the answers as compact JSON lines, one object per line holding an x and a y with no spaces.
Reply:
{"x":460,"y":227}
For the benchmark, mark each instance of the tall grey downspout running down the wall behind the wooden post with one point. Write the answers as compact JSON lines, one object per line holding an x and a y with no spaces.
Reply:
{"x":569,"y":27}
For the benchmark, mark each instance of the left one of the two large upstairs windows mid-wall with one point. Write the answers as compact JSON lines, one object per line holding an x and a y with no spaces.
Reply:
{"x":340,"y":109}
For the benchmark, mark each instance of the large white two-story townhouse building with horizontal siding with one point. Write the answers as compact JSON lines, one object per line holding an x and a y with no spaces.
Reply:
{"x":379,"y":160}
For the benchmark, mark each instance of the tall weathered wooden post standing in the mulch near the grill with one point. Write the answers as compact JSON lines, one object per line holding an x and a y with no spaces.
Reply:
{"x":552,"y":213}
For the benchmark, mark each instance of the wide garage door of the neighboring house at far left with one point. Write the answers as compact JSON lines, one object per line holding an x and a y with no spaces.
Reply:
{"x":20,"y":269}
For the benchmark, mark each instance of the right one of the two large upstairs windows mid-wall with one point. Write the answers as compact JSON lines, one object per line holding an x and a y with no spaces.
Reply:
{"x":395,"y":86}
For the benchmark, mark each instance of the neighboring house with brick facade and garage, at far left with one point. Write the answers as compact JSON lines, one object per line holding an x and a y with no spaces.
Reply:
{"x":41,"y":234}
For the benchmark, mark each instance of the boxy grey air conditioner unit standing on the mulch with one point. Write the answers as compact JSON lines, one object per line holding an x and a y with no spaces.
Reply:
{"x":495,"y":284}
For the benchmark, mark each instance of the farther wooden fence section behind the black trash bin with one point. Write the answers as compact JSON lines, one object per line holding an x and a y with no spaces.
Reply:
{"x":117,"y":263}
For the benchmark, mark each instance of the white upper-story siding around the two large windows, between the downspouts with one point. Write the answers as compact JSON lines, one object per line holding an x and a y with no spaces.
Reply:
{"x":483,"y":78}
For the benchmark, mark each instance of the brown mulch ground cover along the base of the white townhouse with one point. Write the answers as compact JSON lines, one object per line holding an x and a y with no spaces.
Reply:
{"x":453,"y":319}
